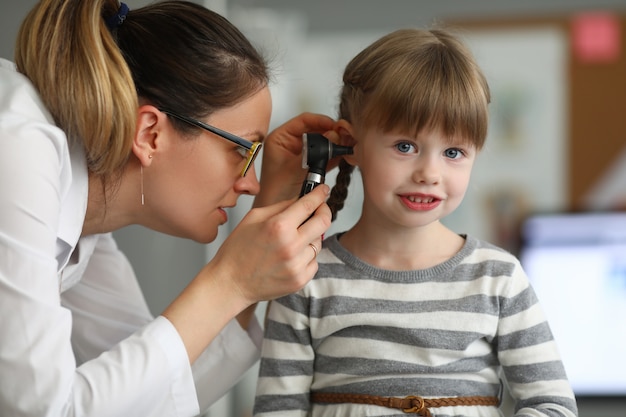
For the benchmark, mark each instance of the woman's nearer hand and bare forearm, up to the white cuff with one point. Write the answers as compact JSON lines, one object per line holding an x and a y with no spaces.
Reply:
{"x":266,"y":256}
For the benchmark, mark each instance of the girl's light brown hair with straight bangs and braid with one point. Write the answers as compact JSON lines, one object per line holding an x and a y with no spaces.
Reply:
{"x":411,"y":80}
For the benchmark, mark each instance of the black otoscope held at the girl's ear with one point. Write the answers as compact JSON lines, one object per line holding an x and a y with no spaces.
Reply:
{"x":317,"y":150}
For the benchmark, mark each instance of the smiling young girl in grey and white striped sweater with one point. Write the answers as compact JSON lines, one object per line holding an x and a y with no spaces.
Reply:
{"x":405,"y":315}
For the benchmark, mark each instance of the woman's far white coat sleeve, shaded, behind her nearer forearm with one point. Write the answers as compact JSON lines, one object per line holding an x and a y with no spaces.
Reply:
{"x":108,"y":306}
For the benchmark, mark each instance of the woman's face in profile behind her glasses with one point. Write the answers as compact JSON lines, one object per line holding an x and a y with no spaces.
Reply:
{"x":196,"y":179}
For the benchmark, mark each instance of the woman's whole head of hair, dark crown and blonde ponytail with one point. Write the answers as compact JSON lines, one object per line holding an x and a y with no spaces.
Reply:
{"x":174,"y":54}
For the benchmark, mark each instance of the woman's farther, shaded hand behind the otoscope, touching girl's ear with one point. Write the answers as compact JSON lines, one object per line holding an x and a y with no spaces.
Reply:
{"x":281,"y":172}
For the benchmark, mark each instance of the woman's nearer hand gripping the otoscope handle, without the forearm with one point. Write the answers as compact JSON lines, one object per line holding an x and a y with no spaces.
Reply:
{"x":268,"y":254}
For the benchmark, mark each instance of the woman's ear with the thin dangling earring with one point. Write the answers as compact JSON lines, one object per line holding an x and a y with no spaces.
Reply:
{"x":145,"y":143}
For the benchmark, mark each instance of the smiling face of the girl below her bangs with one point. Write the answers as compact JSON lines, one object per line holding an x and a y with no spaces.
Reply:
{"x":412,"y":181}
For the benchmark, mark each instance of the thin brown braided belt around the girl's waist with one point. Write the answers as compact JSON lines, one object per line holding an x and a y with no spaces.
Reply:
{"x":410,"y":404}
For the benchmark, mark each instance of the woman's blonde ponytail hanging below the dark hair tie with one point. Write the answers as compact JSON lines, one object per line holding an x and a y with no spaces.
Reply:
{"x":69,"y":54}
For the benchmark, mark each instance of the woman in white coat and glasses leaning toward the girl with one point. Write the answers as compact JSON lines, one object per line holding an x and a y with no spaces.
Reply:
{"x":118,"y":117}
